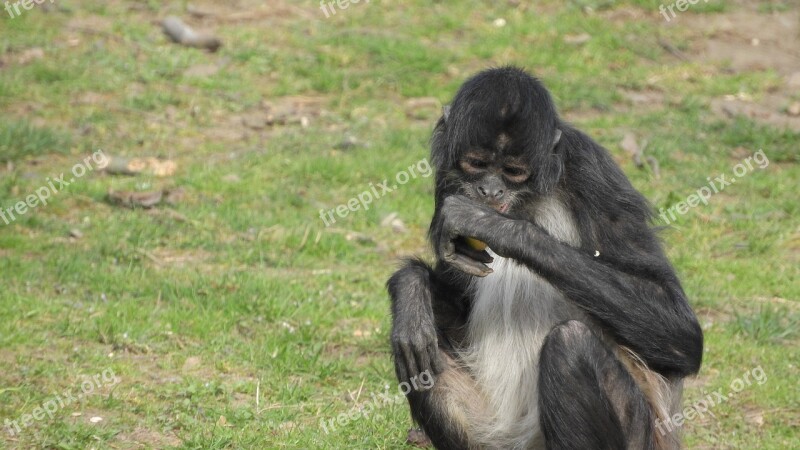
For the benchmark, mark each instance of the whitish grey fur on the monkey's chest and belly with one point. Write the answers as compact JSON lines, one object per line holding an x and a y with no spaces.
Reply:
{"x":513,"y":312}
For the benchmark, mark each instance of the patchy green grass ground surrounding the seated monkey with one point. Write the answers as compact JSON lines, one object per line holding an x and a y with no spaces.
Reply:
{"x":240,"y":289}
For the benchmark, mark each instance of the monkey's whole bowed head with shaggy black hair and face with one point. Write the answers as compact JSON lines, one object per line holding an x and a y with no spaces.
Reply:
{"x":498,"y":141}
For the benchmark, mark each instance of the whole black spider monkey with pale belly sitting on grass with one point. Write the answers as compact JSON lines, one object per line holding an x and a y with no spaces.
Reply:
{"x":571,"y":330}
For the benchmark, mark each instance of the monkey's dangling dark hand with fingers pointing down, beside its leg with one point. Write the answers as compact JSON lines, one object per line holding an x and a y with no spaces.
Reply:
{"x":414,"y":342}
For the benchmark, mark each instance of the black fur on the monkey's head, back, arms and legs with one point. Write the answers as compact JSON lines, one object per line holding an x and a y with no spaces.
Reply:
{"x":630,"y":290}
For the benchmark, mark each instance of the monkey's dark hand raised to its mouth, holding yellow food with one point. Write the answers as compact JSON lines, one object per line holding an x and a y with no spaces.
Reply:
{"x":464,"y":218}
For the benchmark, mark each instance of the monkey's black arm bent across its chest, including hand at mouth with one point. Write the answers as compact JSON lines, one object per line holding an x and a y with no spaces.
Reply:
{"x":645,"y":309}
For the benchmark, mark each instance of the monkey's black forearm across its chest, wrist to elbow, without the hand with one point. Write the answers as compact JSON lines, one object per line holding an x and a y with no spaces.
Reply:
{"x":651,"y":316}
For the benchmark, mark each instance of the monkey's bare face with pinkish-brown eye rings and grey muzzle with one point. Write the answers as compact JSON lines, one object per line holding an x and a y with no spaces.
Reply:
{"x":494,"y":177}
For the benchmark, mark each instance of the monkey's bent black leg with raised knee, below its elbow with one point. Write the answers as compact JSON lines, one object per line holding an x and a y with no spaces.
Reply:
{"x":587,"y":398}
